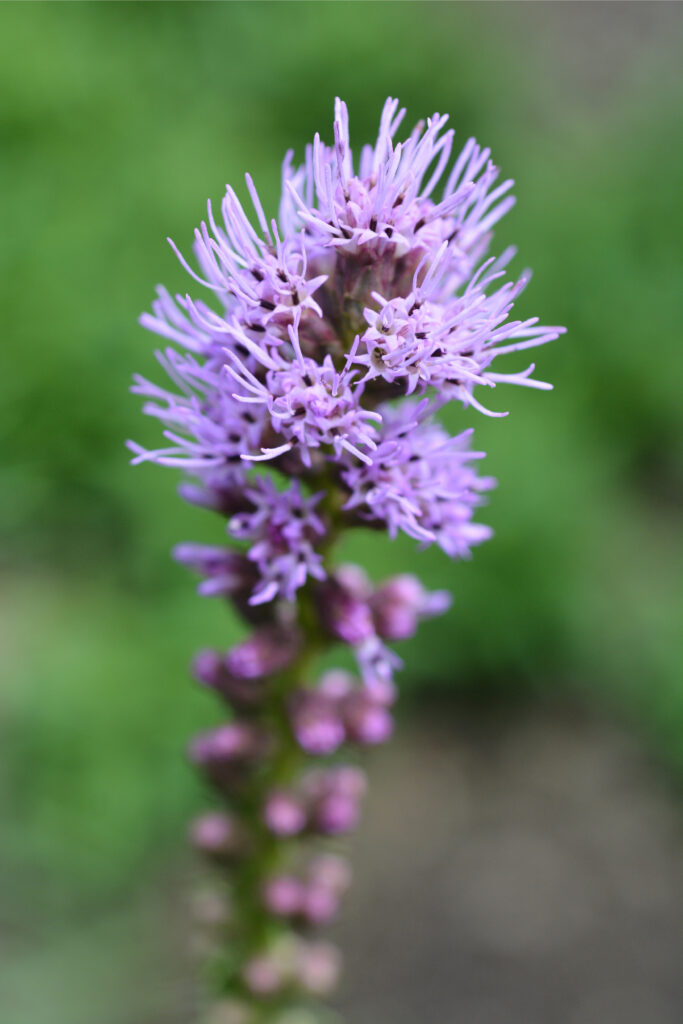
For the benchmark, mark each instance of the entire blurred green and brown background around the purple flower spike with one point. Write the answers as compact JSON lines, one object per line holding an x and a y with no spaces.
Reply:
{"x":522,"y":858}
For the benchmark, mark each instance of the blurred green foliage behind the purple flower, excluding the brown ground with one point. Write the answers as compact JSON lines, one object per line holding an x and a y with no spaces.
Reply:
{"x":118,"y":121}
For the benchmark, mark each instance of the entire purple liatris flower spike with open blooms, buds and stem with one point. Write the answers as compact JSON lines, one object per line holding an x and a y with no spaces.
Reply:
{"x":327,"y":344}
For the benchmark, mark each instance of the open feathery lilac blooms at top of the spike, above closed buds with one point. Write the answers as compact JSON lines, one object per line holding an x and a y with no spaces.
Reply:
{"x":373,"y":285}
